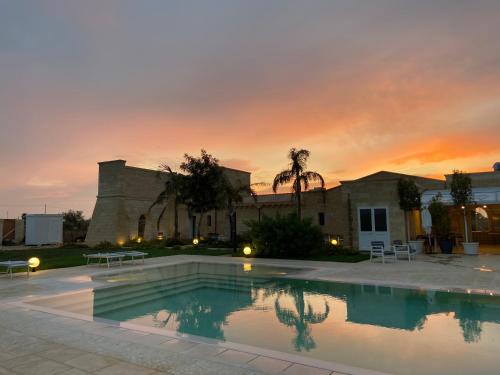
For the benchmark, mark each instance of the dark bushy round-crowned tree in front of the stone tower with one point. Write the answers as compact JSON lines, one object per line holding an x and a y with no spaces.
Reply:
{"x":205,"y":184}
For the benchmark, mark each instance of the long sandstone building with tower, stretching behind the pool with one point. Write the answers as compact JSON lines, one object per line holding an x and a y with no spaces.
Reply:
{"x":357,"y":211}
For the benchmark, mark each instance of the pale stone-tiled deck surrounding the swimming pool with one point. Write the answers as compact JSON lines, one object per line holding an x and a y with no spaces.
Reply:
{"x":37,"y":342}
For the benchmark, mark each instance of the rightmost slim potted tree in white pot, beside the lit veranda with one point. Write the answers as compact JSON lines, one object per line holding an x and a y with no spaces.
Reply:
{"x":461,"y":192}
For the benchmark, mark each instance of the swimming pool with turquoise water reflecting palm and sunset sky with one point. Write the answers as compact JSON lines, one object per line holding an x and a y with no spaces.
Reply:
{"x":393,"y":330}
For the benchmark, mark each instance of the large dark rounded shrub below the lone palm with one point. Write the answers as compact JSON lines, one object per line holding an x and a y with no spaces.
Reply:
{"x":285,"y":236}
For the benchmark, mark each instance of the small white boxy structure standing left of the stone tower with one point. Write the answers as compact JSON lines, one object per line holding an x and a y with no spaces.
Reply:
{"x":44,"y":229}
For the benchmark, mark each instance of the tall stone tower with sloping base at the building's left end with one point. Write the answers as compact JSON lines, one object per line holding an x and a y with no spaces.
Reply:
{"x":126,"y":193}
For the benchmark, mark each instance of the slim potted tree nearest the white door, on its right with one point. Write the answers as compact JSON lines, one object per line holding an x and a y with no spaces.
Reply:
{"x":409,"y":200}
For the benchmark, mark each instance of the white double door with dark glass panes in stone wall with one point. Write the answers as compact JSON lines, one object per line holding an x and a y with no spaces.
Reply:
{"x":373,"y":226}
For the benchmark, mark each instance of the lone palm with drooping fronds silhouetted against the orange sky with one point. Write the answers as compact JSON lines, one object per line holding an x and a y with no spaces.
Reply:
{"x":297,"y":175}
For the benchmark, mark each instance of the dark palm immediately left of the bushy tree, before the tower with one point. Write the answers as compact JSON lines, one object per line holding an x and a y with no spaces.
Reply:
{"x":173,"y":190}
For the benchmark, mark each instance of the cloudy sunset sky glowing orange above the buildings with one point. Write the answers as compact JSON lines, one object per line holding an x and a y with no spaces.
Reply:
{"x":407,"y":86}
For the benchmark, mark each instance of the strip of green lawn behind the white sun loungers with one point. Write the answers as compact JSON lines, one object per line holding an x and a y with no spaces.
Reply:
{"x":72,"y":257}
